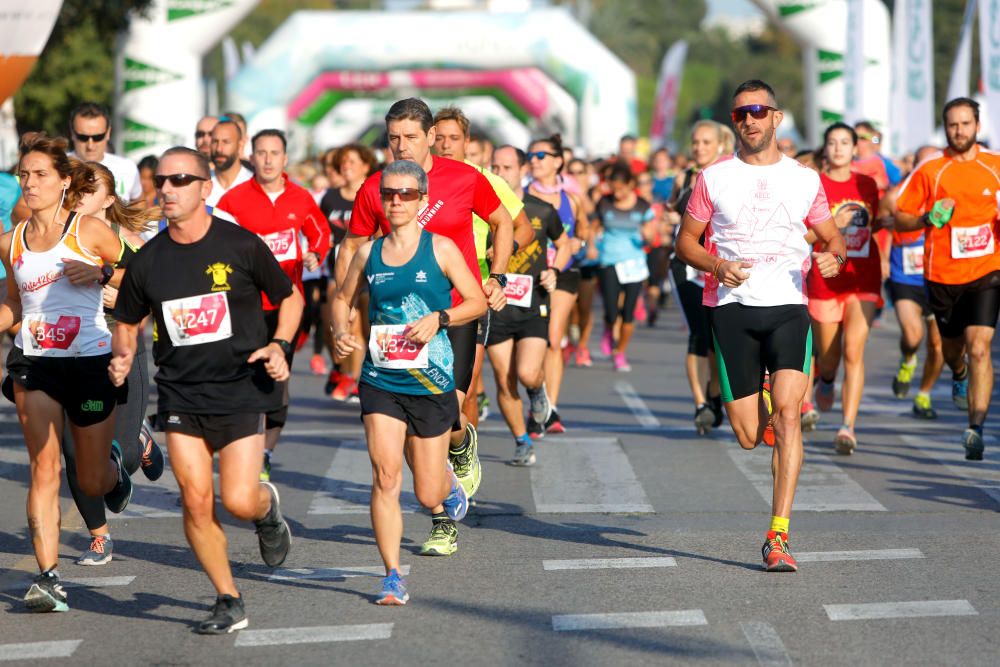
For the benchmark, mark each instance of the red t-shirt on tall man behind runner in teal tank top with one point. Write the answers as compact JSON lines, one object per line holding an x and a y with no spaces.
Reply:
{"x":456,"y":191}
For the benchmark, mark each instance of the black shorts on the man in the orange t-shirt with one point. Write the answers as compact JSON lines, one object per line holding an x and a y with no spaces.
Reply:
{"x":972,"y":304}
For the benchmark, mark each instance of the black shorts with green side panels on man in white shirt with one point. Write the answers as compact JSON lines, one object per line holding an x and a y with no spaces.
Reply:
{"x":752,"y":340}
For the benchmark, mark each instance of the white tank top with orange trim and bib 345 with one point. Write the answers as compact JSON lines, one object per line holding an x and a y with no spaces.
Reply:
{"x":59,"y":319}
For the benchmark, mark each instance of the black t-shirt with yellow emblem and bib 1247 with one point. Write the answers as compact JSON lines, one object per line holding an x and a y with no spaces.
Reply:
{"x":205,"y":300}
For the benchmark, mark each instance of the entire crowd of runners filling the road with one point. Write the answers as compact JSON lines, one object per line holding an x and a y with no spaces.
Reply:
{"x":401,"y":270}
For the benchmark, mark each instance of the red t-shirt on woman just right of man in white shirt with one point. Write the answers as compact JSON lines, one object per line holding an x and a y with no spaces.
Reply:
{"x":863,"y":271}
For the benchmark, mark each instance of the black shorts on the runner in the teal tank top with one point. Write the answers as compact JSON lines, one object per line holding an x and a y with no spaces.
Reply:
{"x":425,"y":415}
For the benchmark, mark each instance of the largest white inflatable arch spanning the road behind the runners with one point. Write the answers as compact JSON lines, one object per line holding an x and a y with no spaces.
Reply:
{"x":290,"y":67}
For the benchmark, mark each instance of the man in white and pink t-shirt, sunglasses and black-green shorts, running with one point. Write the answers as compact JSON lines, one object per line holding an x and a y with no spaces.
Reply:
{"x":755,"y":210}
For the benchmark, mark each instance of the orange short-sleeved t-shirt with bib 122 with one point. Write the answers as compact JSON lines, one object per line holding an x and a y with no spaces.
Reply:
{"x":965,"y":249}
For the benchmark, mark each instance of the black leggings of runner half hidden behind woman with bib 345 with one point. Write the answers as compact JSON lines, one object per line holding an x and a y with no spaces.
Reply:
{"x":128,"y":421}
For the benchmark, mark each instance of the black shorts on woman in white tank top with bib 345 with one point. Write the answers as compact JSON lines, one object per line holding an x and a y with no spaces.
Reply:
{"x":79,"y":384}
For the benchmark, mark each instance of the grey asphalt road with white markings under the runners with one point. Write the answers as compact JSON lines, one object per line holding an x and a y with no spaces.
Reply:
{"x":633,"y":541}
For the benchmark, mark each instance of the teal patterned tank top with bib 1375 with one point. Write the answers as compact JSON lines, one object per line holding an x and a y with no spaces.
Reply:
{"x":401,"y":295}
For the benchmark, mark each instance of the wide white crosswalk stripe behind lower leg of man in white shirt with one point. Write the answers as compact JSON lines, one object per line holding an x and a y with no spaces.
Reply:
{"x":823,"y":486}
